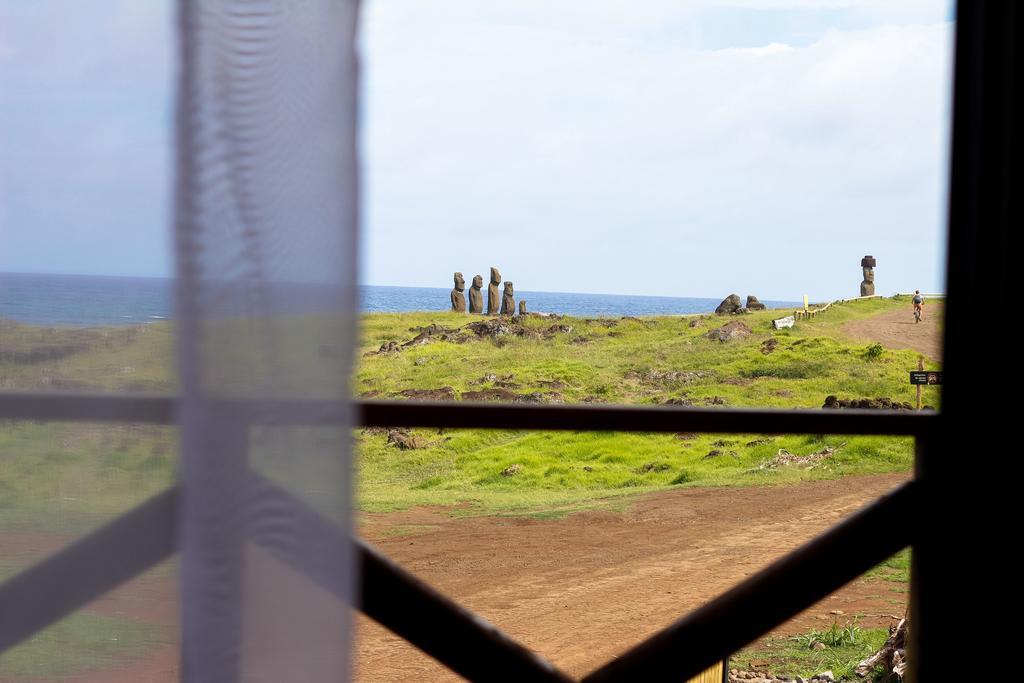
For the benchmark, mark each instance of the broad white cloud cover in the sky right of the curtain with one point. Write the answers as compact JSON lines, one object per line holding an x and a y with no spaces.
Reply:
{"x":610,"y":162}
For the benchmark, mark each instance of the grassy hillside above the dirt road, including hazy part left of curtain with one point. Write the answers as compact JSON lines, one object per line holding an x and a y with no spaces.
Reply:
{"x":73,"y":477}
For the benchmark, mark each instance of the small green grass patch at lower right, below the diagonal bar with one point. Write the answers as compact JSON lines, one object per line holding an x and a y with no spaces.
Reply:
{"x":846,"y":647}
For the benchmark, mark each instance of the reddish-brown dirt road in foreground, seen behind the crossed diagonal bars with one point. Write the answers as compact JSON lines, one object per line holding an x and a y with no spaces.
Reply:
{"x":578,"y":590}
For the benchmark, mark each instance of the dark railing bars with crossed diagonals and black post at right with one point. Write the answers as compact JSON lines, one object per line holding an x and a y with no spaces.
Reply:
{"x":985,"y":208}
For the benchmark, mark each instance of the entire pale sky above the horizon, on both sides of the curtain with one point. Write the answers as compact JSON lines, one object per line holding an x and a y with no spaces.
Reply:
{"x":657,"y":148}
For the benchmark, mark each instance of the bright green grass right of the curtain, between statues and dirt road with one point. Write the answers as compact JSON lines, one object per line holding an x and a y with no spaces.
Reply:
{"x":603,"y":361}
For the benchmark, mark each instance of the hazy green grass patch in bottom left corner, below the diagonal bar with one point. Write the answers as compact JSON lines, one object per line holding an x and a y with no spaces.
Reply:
{"x":78,"y":645}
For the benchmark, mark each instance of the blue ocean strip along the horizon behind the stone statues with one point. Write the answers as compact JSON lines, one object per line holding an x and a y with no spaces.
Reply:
{"x":93,"y":302}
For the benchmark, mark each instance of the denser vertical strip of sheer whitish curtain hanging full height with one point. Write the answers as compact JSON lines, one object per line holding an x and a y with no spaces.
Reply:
{"x":266,"y":238}
